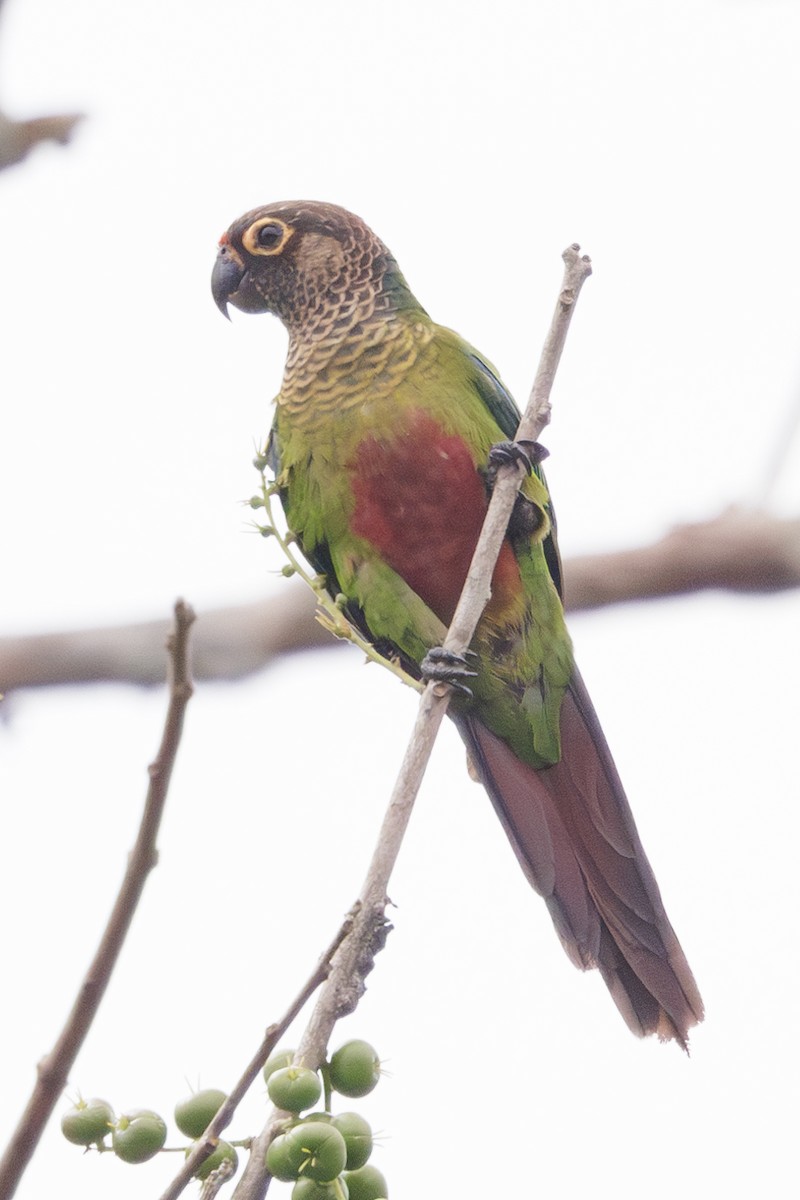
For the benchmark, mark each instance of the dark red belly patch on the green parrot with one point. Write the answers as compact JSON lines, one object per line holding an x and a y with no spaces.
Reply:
{"x":420,"y":502}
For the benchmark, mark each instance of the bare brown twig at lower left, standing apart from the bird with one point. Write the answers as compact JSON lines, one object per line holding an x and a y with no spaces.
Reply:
{"x":53,"y":1071}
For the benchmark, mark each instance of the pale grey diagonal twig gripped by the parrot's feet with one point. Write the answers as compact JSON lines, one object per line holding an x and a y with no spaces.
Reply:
{"x":354,"y":957}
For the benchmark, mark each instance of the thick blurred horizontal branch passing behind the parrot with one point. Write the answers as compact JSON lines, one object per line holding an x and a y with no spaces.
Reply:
{"x":738,"y":551}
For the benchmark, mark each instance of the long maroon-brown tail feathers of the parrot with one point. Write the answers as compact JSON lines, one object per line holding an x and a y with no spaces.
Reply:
{"x":574,"y":835}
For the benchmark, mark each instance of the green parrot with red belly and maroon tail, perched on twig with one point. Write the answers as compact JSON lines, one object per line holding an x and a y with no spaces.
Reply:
{"x":388,"y":434}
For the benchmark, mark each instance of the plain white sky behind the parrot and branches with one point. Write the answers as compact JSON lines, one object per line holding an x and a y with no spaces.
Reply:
{"x":478,"y":141}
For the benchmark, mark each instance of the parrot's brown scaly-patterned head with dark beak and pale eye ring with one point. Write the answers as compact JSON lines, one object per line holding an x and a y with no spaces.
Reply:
{"x":317,"y":267}
